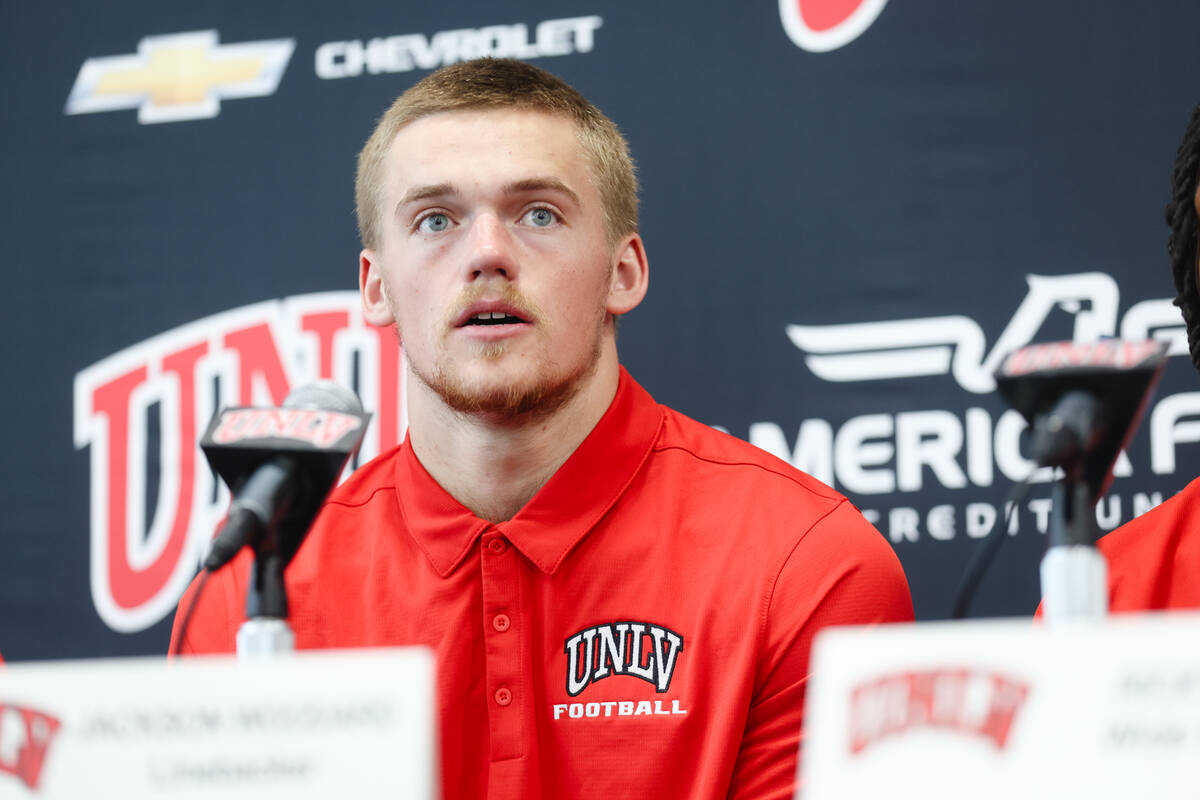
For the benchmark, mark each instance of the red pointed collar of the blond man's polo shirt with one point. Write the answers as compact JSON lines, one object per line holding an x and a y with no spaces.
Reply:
{"x":563,"y":512}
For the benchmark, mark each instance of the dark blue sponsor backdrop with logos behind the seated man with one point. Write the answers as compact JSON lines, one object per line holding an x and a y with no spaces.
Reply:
{"x":922,"y":171}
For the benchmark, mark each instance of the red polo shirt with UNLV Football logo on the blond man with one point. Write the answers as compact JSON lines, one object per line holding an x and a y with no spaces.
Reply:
{"x":641,"y":628}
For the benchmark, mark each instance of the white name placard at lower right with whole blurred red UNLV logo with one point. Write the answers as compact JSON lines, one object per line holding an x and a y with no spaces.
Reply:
{"x":1006,"y":709}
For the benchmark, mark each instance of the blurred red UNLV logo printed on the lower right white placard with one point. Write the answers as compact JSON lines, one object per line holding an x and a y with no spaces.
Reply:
{"x":970,"y":702}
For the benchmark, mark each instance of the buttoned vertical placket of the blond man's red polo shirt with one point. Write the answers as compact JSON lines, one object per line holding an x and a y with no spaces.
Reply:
{"x":508,"y":695}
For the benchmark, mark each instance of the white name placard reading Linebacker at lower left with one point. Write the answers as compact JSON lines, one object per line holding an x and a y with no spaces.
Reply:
{"x":311,"y":725}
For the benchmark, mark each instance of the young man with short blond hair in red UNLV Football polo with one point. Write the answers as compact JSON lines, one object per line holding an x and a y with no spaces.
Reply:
{"x":622,"y":600}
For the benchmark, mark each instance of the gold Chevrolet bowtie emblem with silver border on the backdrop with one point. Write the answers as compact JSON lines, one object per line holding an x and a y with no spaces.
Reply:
{"x":179,"y":77}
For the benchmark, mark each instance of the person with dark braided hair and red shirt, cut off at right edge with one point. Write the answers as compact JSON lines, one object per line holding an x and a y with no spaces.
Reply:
{"x":1155,"y":560}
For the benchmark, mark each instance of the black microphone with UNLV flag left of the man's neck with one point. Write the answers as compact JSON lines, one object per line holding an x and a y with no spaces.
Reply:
{"x":280,"y":464}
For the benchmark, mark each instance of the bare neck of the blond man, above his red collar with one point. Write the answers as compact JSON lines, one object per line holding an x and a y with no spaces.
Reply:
{"x":496,"y":467}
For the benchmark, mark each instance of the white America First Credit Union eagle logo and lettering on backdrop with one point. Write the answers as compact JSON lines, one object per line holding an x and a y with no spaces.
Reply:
{"x":914,"y":452}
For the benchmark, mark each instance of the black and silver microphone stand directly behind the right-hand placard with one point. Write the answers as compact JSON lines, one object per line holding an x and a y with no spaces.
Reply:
{"x":1075,"y":573}
